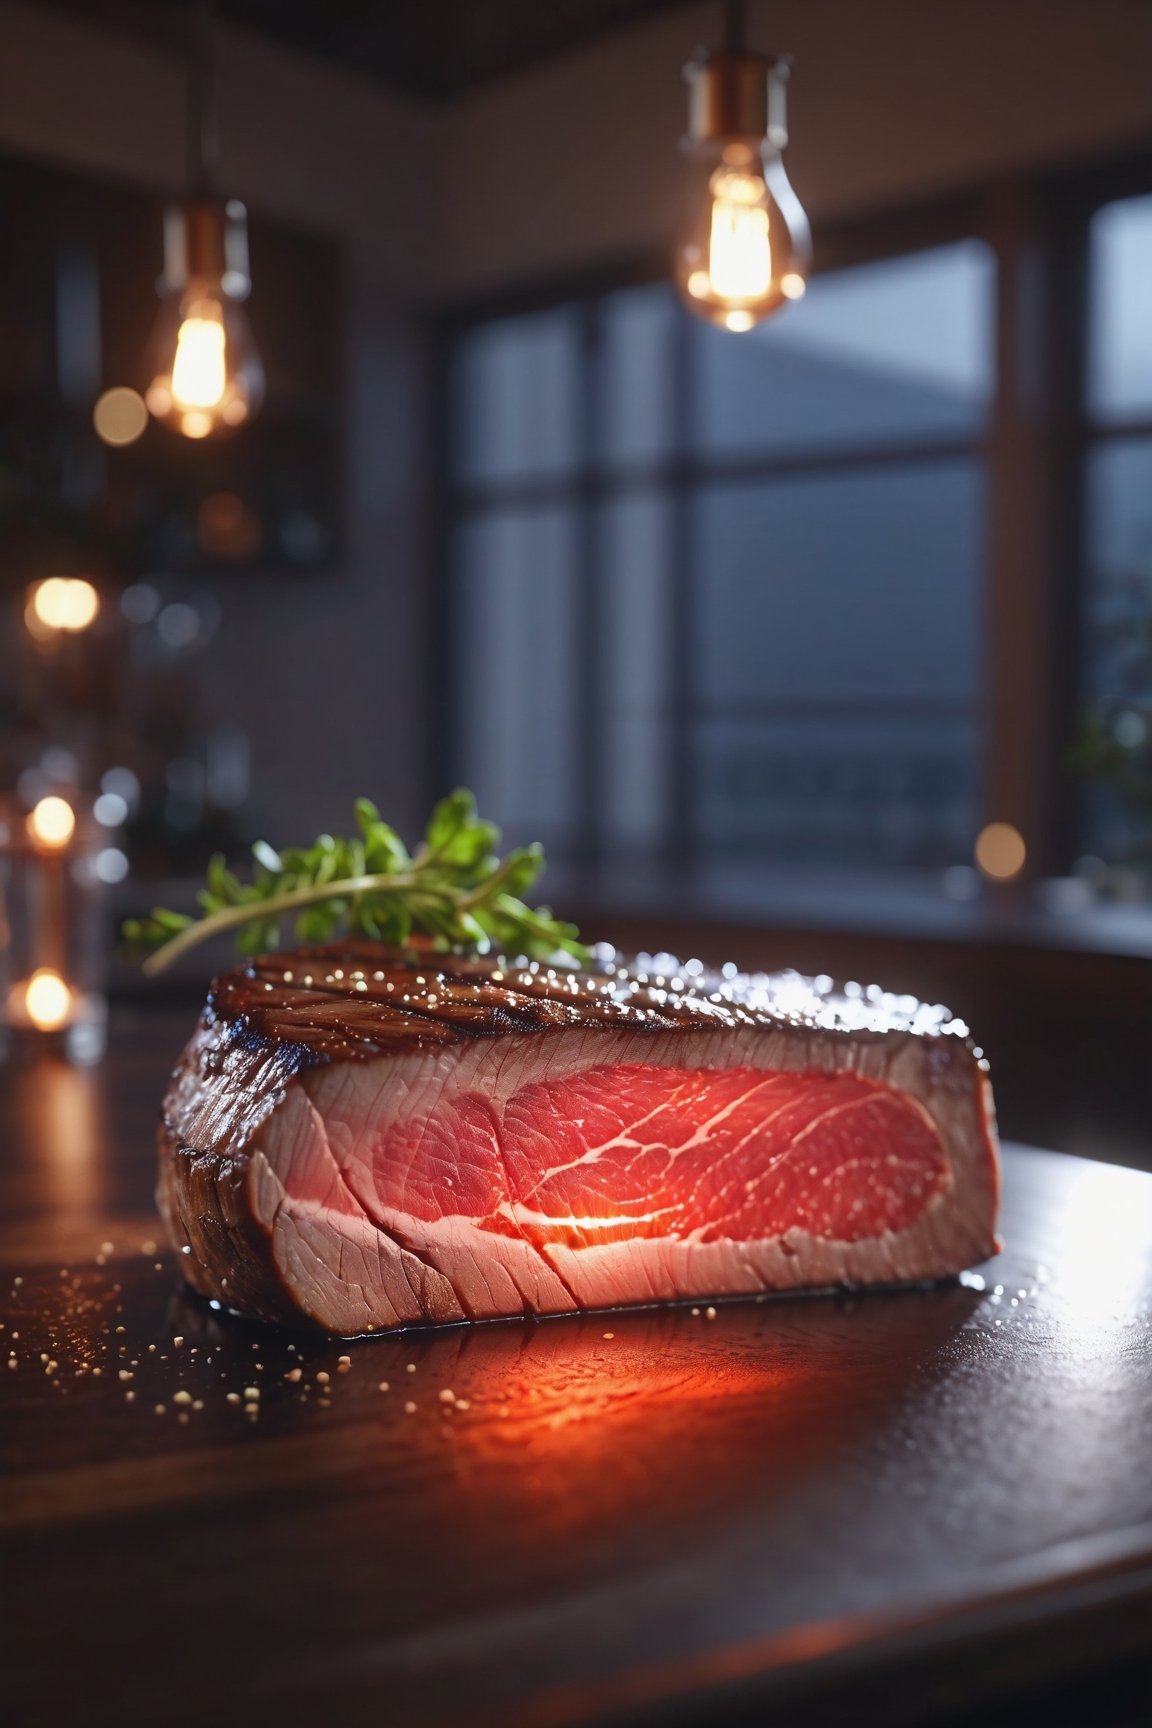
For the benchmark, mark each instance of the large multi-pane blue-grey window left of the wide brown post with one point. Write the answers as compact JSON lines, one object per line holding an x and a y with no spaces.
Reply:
{"x":725,"y":594}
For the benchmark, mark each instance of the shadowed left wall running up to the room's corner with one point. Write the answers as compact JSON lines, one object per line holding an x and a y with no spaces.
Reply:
{"x":324,"y":675}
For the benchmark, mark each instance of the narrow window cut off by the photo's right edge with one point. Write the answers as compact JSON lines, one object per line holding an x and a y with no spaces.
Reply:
{"x":1117,"y":673}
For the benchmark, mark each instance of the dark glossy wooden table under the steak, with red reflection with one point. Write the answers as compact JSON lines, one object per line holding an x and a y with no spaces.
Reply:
{"x":873,"y":1508}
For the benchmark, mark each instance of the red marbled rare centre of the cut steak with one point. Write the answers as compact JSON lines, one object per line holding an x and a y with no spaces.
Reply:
{"x":633,"y":1152}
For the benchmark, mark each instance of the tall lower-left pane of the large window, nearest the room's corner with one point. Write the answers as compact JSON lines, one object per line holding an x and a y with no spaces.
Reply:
{"x":517,"y":671}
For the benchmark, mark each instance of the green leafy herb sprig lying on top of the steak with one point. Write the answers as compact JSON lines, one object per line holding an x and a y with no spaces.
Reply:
{"x":453,"y":889}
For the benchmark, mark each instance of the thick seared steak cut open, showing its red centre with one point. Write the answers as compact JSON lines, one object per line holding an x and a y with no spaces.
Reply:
{"x":367,"y":1141}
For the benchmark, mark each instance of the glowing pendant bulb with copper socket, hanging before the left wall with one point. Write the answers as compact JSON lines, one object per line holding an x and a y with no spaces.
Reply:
{"x":206,"y":372}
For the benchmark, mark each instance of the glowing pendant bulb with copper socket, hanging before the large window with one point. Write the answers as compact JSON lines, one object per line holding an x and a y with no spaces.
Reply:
{"x":747,"y":246}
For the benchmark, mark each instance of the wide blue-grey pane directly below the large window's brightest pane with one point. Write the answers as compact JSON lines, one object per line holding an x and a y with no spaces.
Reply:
{"x":830,"y":587}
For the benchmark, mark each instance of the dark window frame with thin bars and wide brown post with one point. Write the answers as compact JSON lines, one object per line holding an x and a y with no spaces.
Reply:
{"x":1034,"y":454}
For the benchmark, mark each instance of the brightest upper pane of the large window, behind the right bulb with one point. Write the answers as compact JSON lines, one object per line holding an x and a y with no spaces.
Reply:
{"x":877,"y":353}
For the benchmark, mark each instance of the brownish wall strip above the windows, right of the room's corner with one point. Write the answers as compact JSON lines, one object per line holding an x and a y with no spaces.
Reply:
{"x":894,"y":101}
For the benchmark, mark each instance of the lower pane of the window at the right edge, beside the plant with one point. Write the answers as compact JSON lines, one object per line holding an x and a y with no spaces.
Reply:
{"x":1117,"y":737}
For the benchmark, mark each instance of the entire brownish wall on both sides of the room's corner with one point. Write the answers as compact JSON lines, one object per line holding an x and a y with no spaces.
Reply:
{"x":541,"y":174}
